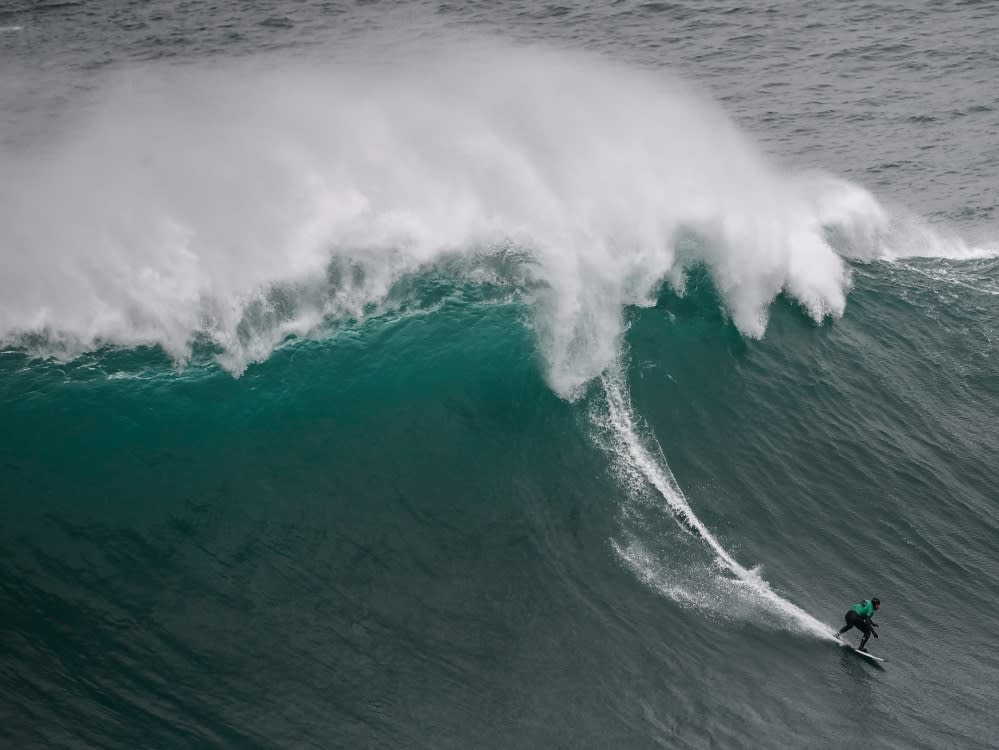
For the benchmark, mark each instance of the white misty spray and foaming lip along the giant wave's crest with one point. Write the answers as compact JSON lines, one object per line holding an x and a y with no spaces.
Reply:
{"x":243,"y":203}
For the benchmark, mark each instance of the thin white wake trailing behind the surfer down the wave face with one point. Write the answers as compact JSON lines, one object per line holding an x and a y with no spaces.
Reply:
{"x":732,"y":589}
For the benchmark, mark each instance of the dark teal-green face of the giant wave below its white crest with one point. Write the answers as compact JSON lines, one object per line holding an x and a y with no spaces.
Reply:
{"x":404,"y":521}
